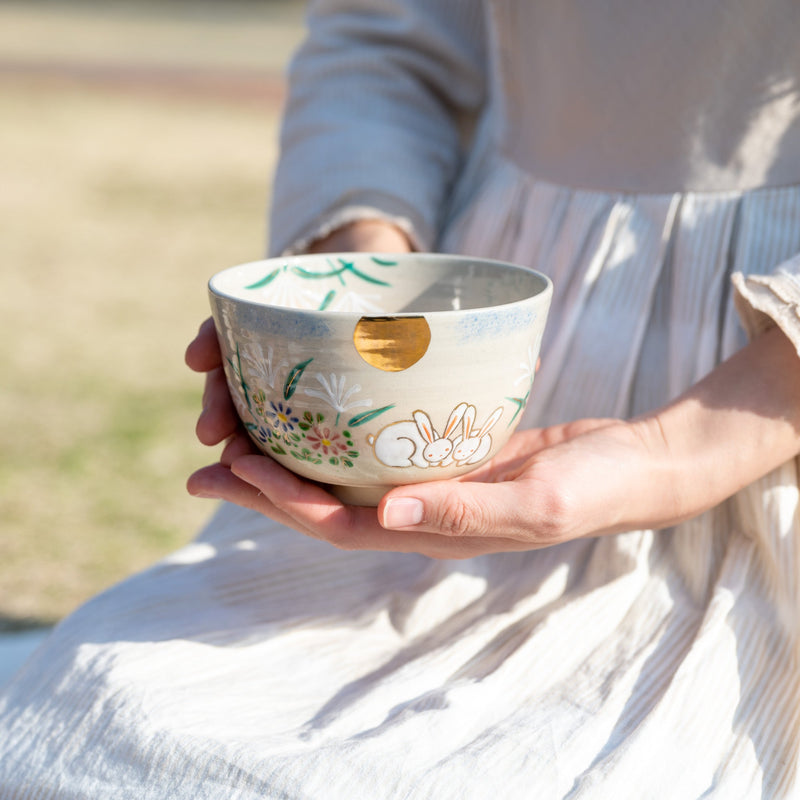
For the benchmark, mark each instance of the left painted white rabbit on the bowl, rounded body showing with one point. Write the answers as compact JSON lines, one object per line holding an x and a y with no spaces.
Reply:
{"x":416,"y":443}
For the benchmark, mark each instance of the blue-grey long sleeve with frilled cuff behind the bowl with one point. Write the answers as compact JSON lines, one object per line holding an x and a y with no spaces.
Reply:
{"x":372,"y":123}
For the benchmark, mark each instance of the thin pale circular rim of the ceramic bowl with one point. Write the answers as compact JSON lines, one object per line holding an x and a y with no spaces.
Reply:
{"x":539,"y":297}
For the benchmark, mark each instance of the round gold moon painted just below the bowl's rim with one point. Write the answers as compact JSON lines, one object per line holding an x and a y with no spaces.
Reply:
{"x":392,"y":343}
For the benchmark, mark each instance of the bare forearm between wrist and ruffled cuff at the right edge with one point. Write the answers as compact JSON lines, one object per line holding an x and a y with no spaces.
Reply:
{"x":731,"y":428}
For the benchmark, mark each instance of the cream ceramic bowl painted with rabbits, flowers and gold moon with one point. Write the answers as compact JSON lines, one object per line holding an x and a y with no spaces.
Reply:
{"x":366,"y":371}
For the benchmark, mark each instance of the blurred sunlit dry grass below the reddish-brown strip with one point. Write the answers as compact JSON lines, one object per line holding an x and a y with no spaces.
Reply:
{"x":114,"y":211}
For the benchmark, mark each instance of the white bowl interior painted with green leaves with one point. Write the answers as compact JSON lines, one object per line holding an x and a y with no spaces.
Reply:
{"x":378,"y":284}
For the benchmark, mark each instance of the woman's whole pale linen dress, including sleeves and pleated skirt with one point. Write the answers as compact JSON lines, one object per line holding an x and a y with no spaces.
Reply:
{"x":258,"y":663}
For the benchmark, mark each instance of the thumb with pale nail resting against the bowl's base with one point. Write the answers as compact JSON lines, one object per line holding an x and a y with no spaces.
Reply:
{"x":453,"y":508}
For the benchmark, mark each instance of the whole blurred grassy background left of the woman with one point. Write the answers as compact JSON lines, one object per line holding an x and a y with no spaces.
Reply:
{"x":137,"y":143}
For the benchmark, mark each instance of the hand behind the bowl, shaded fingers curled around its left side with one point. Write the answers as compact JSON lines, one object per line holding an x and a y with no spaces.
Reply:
{"x":218,"y":420}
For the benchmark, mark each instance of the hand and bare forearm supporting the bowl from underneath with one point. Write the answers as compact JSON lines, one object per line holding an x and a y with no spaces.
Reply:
{"x":586,"y":478}
